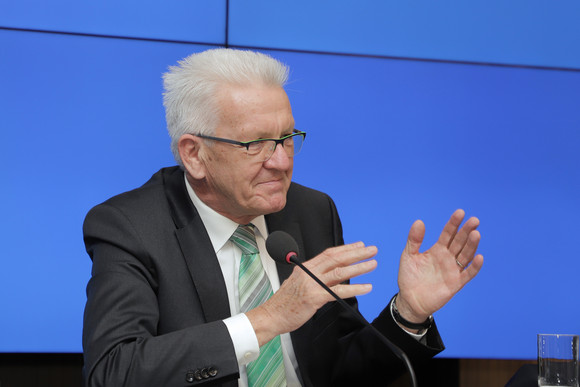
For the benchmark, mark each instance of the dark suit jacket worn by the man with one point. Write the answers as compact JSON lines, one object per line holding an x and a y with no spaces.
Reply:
{"x":157,"y":298}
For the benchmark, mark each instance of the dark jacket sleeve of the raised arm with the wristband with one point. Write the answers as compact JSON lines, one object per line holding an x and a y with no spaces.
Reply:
{"x":340,"y":350}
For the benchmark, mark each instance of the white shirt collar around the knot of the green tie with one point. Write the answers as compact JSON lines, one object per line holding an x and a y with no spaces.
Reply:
{"x":220,"y":228}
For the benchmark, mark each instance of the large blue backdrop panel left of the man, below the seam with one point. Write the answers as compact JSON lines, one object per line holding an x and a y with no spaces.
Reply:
{"x":77,"y":127}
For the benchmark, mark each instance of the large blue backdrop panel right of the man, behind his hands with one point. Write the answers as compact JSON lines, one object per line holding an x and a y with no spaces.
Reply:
{"x":395,"y":141}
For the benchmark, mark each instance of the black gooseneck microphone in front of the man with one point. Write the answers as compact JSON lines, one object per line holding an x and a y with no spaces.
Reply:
{"x":284,"y":249}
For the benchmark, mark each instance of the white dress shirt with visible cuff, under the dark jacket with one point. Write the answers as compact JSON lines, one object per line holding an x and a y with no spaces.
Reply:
{"x":220,"y":229}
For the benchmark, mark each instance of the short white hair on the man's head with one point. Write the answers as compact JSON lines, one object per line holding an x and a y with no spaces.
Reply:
{"x":191,"y":87}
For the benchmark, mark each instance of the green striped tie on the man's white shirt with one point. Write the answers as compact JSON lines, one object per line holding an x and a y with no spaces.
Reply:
{"x":255,"y":289}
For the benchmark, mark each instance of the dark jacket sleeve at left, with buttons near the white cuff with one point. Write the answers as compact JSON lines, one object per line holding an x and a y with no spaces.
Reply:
{"x":121,"y":340}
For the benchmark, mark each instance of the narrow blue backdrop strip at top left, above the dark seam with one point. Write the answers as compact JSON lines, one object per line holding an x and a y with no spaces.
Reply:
{"x":192,"y":21}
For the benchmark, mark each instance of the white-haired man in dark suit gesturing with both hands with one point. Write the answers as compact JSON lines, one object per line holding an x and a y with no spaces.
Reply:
{"x":168,"y":303}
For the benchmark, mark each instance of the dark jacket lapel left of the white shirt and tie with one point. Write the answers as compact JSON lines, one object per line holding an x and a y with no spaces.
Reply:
{"x":200,"y":258}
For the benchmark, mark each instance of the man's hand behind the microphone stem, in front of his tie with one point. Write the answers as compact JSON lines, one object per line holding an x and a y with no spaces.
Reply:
{"x":299,"y":297}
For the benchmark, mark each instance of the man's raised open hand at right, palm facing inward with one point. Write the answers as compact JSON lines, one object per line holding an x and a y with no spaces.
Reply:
{"x":428,"y":280}
